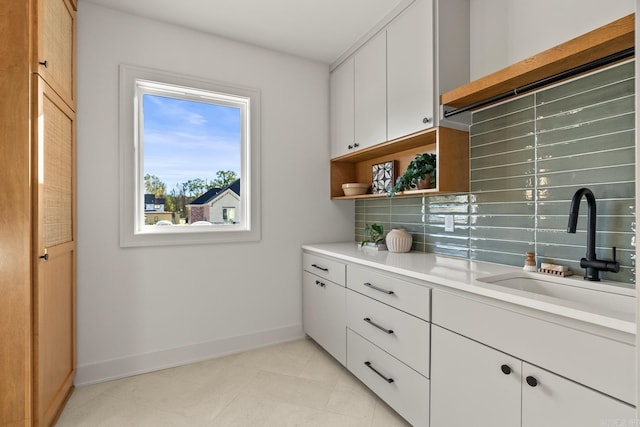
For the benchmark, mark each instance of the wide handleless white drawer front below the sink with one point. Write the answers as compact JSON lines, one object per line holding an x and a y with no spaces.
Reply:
{"x":601,"y":363}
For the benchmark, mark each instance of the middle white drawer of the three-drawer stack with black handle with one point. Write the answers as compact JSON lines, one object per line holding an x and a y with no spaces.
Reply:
{"x":403,"y":336}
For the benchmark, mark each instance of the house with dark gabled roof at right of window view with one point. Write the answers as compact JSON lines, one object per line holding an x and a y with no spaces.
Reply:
{"x":218,"y":205}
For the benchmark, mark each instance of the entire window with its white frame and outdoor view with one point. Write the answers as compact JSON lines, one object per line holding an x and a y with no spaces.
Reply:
{"x":190,"y":151}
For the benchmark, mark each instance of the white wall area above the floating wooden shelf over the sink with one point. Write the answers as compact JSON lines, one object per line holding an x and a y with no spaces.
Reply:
{"x":506,"y":31}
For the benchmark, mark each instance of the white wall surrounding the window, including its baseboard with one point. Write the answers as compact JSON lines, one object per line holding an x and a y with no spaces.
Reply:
{"x":144,"y":308}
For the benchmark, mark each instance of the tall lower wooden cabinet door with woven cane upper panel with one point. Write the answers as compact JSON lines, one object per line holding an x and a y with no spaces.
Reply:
{"x":54,"y":278}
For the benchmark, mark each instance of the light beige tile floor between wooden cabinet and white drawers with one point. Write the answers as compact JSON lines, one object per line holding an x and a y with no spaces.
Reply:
{"x":291,"y":384}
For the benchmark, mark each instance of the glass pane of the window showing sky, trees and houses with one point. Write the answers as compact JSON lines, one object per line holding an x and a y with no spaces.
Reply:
{"x":192,"y":159}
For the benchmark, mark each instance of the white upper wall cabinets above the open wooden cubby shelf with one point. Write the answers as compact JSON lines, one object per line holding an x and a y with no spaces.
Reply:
{"x":398,"y":75}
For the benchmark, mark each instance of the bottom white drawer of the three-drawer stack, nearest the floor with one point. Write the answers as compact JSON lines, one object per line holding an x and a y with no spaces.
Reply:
{"x":399,"y":386}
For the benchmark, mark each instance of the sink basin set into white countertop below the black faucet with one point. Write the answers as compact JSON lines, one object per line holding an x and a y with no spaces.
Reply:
{"x":604,"y":298}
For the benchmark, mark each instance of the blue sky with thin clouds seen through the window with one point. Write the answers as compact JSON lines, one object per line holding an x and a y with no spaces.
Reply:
{"x":184,"y":140}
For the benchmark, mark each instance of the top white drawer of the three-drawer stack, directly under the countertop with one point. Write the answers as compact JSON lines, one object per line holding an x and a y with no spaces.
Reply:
{"x":408,"y":297}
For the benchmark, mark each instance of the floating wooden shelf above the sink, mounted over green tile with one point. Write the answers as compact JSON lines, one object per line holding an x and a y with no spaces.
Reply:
{"x":599,"y":43}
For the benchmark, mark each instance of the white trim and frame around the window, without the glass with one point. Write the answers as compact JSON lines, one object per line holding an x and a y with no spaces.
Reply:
{"x":133,"y":232}
